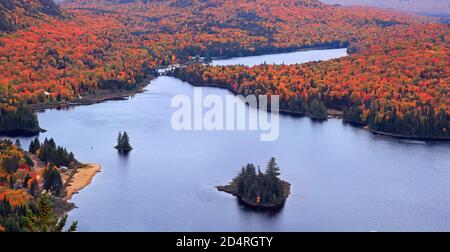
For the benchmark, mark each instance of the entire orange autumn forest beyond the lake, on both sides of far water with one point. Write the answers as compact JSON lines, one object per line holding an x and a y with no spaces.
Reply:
{"x":92,"y":45}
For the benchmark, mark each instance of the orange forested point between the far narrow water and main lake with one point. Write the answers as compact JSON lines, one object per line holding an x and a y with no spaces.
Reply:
{"x":397,"y":86}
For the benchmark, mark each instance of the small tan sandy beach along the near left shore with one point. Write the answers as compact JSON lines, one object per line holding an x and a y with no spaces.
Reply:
{"x":81,"y":179}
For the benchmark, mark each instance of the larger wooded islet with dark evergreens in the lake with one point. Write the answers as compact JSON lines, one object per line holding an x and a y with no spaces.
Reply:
{"x":257,"y":189}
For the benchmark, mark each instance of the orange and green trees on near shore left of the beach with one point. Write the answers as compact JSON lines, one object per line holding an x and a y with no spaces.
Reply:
{"x":23,"y":206}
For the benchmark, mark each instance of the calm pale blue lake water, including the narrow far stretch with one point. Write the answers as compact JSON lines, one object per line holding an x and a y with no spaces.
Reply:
{"x":343,"y":178}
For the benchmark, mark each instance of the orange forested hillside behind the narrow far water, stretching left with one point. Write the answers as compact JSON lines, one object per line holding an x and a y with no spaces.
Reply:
{"x":109,"y":45}
